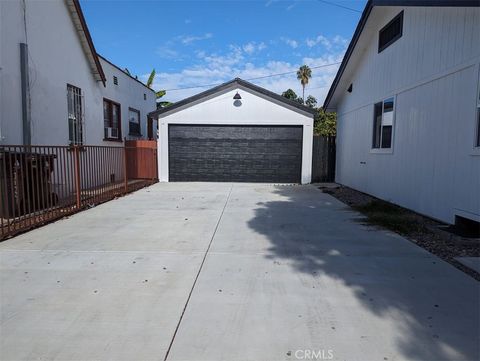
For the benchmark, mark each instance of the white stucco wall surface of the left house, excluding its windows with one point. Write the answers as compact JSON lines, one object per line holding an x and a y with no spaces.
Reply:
{"x":56,"y":58}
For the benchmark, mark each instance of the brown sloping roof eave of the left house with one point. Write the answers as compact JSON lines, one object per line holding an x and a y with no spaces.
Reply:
{"x":85,"y":39}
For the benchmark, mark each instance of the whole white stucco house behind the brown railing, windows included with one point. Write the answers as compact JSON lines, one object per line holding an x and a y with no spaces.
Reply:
{"x":54,"y":87}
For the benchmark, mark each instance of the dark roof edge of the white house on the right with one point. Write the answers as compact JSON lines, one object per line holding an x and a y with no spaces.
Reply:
{"x":363,"y":20}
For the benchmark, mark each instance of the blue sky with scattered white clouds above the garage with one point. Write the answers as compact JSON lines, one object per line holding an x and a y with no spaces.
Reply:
{"x":205,"y":43}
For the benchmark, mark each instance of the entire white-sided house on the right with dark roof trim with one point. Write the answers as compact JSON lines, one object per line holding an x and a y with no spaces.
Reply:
{"x":408,"y":103}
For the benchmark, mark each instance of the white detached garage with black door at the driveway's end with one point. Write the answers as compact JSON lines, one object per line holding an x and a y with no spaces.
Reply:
{"x":235,"y":132}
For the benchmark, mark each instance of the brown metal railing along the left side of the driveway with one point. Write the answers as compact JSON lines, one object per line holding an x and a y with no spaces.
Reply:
{"x":39,"y":184}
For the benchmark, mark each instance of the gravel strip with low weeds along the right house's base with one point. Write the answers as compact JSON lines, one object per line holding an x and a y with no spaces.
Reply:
{"x":437,"y":238}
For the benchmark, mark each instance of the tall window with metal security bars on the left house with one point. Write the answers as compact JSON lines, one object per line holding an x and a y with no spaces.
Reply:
{"x":75,"y":114}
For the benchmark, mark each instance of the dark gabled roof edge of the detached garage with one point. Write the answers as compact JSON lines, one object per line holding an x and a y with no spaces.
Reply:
{"x":237,"y":82}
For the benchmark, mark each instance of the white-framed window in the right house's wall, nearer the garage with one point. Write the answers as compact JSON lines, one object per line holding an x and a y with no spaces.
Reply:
{"x":383,"y":124}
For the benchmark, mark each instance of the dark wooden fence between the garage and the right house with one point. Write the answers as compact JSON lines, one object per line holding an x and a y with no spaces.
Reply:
{"x":323,"y":159}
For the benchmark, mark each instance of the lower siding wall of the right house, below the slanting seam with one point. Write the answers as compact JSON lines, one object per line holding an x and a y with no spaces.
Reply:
{"x":432,"y":169}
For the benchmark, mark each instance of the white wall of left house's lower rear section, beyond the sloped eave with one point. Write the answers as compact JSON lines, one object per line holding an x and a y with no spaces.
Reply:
{"x":130,"y":94}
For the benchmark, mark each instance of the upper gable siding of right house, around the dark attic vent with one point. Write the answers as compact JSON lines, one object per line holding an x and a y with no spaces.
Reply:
{"x":435,"y":41}
